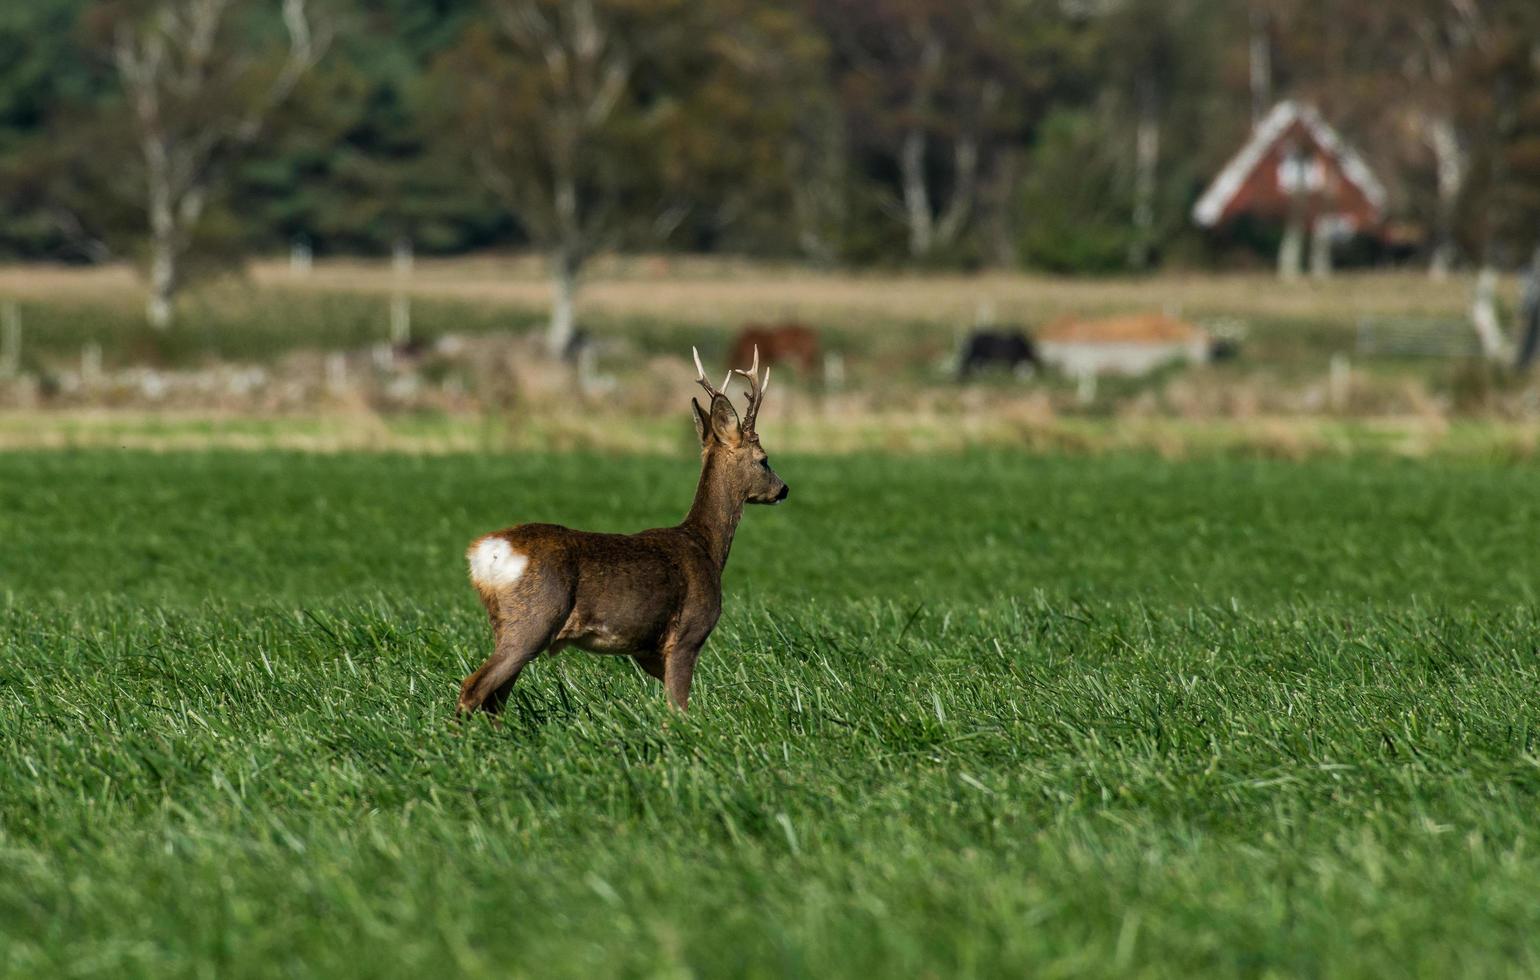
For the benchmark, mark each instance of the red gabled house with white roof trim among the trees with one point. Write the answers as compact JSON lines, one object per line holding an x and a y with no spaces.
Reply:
{"x":1296,"y":169}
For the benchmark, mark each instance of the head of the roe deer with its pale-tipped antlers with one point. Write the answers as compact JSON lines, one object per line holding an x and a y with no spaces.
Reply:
{"x":731,"y":446}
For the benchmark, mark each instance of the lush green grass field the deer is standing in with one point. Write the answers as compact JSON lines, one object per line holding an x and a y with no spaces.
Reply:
{"x":971,"y":716}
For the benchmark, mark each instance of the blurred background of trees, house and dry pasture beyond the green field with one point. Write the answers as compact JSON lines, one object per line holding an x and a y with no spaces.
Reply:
{"x":1291,"y":226}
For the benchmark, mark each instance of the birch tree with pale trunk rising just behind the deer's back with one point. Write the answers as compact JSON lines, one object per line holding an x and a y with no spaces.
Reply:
{"x":609,"y":122}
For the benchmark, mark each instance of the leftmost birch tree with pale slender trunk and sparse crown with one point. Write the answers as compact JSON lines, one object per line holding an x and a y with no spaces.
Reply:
{"x":199,"y":93}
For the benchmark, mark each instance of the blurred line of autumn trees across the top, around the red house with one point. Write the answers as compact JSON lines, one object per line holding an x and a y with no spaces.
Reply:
{"x":1059,"y":135}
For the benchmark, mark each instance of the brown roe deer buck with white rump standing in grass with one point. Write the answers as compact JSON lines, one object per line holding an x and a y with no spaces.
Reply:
{"x":654,"y":596}
